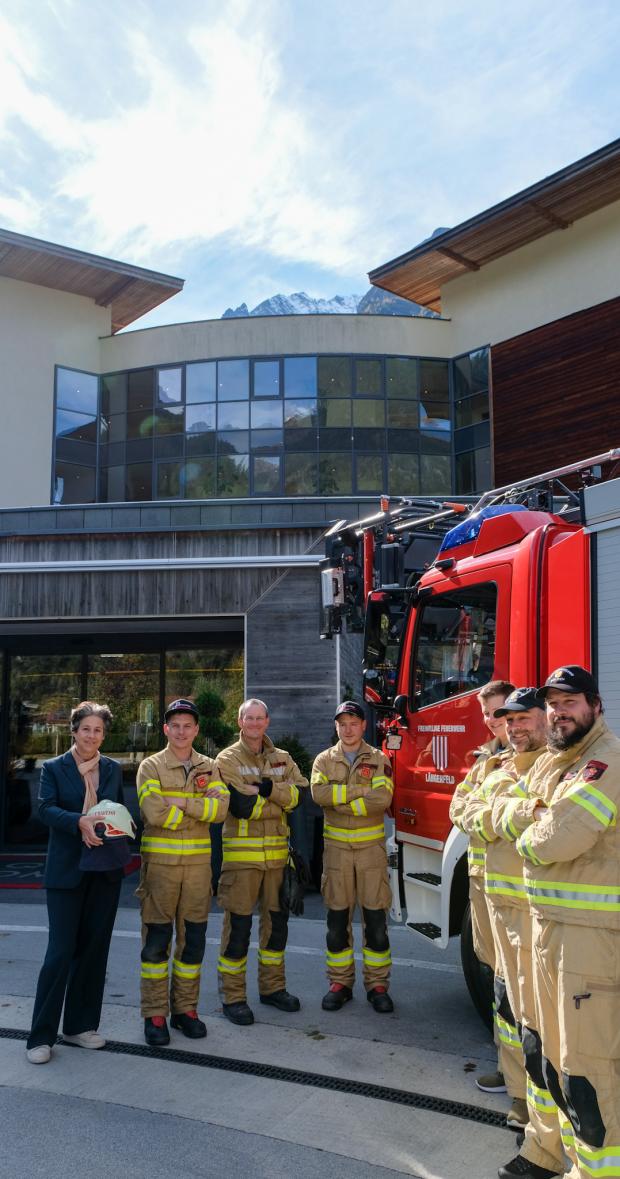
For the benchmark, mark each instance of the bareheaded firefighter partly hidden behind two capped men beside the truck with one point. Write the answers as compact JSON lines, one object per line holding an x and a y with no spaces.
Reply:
{"x":510,"y":1075}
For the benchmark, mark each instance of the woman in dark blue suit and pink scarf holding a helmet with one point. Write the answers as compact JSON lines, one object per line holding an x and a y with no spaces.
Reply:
{"x":82,"y":906}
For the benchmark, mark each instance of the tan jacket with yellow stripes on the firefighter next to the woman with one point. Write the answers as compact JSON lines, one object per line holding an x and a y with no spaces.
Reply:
{"x":173,"y":837}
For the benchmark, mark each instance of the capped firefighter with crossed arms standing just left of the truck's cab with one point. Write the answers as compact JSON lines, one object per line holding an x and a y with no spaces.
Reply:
{"x":353,"y":785}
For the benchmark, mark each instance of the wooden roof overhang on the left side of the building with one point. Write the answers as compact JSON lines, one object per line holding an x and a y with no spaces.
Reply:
{"x":130,"y":292}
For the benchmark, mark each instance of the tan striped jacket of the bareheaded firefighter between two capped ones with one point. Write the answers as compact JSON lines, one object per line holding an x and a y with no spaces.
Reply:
{"x":262,"y":840}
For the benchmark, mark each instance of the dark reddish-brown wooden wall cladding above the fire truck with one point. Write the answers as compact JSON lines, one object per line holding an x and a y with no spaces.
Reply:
{"x":557,"y":393}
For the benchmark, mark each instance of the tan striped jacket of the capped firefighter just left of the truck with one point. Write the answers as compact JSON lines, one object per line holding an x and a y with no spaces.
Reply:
{"x":354,"y":798}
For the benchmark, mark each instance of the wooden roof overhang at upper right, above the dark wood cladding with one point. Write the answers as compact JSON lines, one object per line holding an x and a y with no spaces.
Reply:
{"x":552,"y":205}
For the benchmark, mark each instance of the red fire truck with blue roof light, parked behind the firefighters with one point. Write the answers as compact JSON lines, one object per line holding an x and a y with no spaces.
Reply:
{"x":516,"y":585}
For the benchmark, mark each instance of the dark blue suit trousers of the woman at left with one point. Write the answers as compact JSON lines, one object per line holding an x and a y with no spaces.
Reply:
{"x":81,"y":928}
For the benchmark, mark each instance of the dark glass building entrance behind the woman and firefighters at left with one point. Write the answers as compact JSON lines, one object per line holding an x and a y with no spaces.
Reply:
{"x":45,"y":676}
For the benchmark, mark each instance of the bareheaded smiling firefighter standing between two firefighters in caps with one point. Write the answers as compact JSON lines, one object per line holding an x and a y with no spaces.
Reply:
{"x":265,"y":787}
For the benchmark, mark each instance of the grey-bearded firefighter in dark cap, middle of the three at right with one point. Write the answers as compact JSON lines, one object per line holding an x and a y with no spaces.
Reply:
{"x":503,"y":814}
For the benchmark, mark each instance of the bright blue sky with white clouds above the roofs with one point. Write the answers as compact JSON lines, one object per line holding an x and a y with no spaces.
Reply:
{"x":288,"y":146}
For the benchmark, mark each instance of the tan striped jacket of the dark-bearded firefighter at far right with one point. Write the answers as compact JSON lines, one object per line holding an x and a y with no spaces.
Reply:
{"x":572,"y":855}
